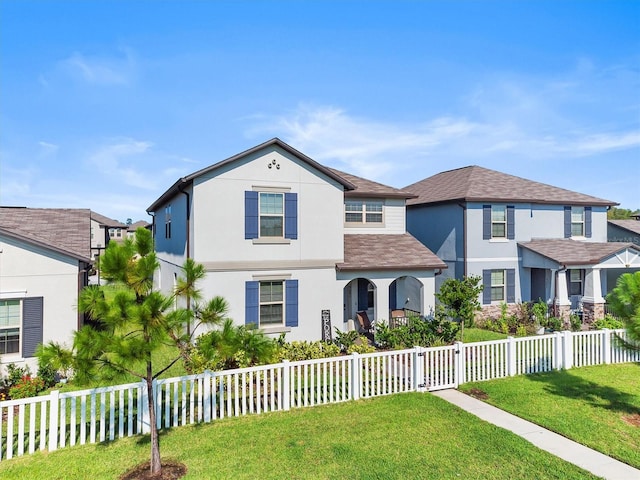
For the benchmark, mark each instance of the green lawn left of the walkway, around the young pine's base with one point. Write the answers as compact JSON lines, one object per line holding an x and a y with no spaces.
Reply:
{"x":395,"y":437}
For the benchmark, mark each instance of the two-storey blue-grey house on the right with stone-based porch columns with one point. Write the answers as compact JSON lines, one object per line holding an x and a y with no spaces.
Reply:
{"x":526,"y":240}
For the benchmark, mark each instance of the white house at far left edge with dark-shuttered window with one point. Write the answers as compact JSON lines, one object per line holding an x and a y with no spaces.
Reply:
{"x":44,"y":262}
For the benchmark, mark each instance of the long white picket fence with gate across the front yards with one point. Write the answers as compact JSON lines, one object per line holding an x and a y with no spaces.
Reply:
{"x":63,"y":419}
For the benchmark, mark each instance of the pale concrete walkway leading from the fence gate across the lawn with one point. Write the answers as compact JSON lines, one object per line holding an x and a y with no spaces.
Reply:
{"x":590,"y":460}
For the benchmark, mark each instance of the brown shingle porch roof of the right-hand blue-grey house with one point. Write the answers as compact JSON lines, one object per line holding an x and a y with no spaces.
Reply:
{"x":571,"y":252}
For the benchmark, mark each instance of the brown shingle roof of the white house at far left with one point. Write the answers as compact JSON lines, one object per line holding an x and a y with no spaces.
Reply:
{"x":64,"y":230}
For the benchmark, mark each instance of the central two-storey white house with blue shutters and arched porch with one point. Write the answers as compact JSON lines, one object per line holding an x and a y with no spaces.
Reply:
{"x":291,"y":243}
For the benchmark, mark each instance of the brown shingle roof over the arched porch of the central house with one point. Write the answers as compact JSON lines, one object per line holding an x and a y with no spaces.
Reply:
{"x":387,"y":252}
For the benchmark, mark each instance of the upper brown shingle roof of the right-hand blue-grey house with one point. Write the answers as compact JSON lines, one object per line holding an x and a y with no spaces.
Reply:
{"x":475,"y":184}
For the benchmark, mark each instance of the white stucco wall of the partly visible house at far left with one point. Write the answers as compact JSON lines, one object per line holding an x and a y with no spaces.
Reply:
{"x":30,"y":271}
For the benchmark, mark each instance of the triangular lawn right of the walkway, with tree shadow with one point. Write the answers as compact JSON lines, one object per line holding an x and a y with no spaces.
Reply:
{"x":596,"y":406}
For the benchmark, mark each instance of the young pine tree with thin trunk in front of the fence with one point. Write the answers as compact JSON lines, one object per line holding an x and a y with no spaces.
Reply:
{"x":131,"y":322}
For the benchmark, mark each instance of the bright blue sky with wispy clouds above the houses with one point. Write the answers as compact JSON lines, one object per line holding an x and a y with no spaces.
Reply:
{"x":103,"y":105}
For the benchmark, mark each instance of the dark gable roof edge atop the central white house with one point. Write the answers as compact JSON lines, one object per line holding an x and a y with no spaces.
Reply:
{"x":184,"y":181}
